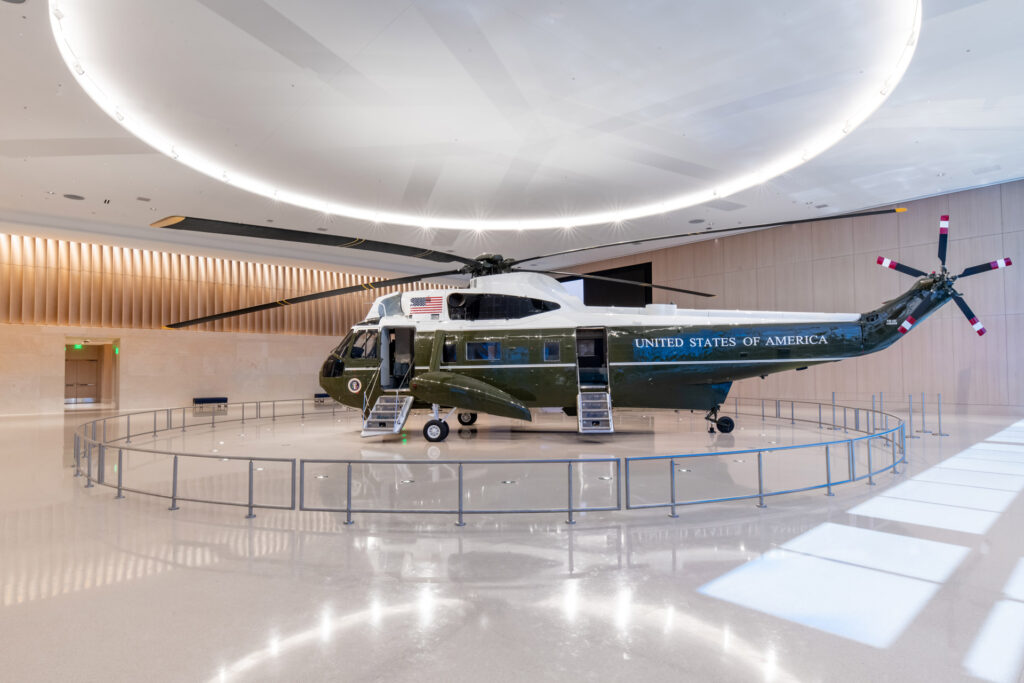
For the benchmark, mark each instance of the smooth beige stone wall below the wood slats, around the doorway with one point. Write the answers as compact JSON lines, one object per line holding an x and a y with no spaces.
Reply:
{"x":161,"y":368}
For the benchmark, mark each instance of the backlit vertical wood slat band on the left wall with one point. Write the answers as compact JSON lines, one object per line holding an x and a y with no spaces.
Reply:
{"x":56,"y":282}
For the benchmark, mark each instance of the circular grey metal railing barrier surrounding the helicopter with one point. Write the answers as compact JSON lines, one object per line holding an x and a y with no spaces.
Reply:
{"x":105,"y":454}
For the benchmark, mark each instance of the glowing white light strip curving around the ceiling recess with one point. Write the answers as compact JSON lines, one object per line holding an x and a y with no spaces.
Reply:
{"x":152,"y":136}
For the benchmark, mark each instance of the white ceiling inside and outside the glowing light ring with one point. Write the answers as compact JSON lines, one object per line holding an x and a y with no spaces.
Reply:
{"x":508,"y":110}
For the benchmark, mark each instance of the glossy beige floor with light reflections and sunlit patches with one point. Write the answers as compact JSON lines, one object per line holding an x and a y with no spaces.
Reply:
{"x":919,"y":578}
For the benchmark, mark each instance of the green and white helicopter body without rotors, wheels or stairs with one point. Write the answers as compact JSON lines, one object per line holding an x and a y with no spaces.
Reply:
{"x":514,"y":343}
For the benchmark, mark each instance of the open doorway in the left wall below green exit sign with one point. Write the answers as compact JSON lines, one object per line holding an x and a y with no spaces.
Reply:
{"x":90,"y":374}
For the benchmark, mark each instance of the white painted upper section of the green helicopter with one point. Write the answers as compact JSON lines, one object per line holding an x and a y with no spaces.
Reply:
{"x":573,"y":312}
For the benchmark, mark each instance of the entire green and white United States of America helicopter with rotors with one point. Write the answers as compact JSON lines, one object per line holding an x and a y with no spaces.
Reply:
{"x":516,"y":339}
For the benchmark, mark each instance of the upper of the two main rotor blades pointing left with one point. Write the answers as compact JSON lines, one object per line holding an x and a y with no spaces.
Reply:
{"x":302,"y":237}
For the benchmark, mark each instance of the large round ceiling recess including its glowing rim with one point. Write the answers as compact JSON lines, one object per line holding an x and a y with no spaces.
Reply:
{"x":591,"y":116}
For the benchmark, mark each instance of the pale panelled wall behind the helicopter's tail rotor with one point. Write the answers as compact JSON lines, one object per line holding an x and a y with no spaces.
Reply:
{"x":831,"y":267}
